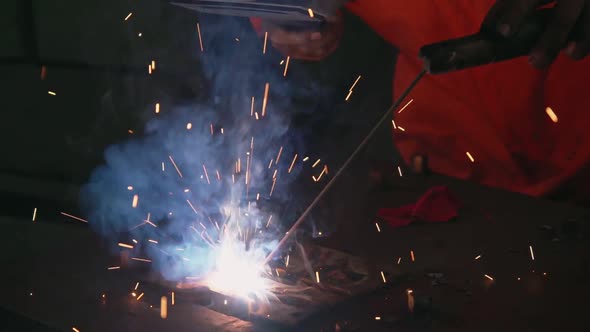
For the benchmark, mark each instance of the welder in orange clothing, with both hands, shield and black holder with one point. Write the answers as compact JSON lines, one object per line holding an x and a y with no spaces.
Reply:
{"x":515,"y":118}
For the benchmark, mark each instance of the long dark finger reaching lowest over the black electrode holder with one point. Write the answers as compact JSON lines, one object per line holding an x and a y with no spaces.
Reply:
{"x":557,"y":32}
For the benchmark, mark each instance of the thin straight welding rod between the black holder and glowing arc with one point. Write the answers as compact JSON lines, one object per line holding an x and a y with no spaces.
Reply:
{"x":364,"y":142}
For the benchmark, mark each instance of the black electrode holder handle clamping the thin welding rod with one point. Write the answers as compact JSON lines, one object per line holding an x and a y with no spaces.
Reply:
{"x":484,"y":47}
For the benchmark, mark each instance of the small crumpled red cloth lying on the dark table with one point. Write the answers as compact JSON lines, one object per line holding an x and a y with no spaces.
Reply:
{"x":436,"y":205}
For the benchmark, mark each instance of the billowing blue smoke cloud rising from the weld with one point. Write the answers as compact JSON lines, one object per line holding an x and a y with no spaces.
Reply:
{"x":186,"y":214}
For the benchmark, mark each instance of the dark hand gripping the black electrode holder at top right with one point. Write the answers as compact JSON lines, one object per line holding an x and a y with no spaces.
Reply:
{"x":569,"y":28}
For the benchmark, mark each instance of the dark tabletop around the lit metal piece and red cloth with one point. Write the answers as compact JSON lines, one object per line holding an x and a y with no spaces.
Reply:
{"x":55,"y":272}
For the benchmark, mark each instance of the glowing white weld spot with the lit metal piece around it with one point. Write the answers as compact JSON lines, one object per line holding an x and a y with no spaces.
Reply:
{"x":307,"y":280}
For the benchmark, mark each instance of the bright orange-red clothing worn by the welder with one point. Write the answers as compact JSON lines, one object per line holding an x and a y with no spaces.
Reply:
{"x":497,"y":112}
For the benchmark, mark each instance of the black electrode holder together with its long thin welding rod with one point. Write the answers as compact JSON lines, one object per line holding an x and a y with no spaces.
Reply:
{"x":442,"y":57}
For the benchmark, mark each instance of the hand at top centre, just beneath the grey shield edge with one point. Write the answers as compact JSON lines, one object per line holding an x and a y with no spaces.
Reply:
{"x":308,"y":44}
